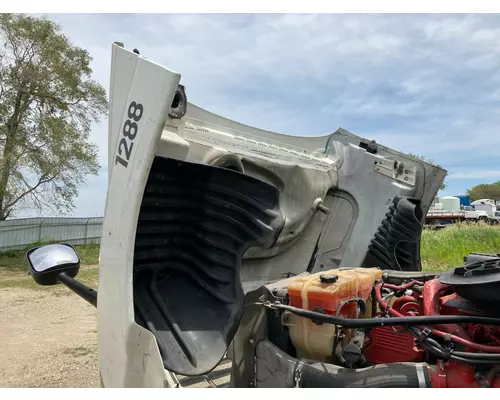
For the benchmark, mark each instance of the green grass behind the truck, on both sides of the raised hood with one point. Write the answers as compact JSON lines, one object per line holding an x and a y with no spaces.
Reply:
{"x":440,"y":250}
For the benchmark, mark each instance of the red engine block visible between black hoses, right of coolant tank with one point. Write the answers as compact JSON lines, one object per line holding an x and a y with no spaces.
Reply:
{"x":393,"y":344}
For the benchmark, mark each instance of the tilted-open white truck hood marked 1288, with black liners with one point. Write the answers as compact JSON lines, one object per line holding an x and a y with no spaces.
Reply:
{"x":201,"y":208}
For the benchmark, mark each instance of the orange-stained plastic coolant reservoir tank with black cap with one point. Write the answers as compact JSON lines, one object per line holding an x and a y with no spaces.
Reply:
{"x":327,"y":292}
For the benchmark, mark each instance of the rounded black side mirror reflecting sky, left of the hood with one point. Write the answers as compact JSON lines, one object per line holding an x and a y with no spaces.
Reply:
{"x":47,"y":262}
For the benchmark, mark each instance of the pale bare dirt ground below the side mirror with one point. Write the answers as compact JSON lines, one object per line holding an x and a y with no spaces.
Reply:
{"x":48,"y":338}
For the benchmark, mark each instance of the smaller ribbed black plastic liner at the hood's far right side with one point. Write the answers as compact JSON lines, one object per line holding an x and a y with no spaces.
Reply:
{"x":396,"y":244}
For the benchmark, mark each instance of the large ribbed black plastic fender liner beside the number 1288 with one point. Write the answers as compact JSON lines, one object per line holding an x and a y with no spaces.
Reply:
{"x":195,"y":224}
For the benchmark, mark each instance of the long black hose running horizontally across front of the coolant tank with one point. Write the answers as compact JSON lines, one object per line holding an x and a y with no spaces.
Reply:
{"x":392,"y":321}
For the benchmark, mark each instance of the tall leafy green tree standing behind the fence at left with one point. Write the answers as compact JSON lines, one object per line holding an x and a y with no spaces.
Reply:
{"x":47,"y":106}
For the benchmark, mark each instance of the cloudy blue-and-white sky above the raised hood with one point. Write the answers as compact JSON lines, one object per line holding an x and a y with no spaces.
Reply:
{"x":425,"y":84}
